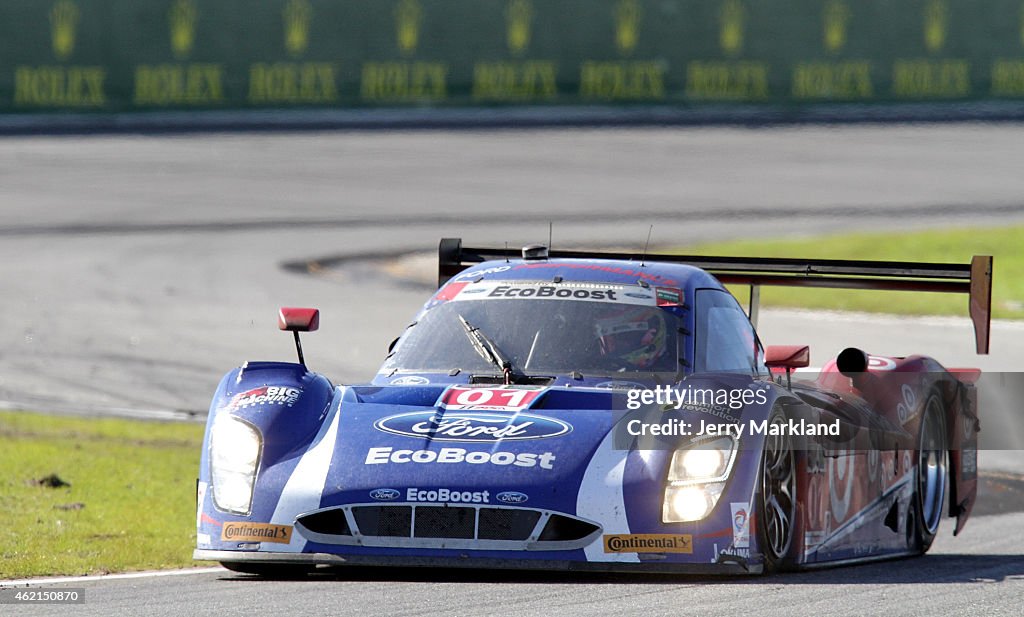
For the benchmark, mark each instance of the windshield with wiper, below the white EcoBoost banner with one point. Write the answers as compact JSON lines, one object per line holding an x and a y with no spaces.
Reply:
{"x":543,"y":337}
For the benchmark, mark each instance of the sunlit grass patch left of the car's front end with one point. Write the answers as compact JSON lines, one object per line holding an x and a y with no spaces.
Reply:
{"x":136,"y":481}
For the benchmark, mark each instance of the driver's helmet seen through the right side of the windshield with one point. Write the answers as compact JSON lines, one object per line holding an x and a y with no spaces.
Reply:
{"x":635,"y":336}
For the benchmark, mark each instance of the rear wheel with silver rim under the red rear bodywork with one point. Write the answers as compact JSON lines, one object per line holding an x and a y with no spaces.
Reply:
{"x":930,"y":477}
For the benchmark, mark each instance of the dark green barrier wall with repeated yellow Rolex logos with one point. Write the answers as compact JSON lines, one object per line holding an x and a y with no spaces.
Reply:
{"x":118,"y":56}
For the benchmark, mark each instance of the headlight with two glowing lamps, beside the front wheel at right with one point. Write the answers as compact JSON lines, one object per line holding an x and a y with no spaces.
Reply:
{"x":697,"y":479}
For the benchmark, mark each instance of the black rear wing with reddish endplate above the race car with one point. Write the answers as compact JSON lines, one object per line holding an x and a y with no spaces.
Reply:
{"x":973,"y":279}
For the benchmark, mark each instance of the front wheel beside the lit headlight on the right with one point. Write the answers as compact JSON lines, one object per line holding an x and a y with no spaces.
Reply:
{"x":778,"y":511}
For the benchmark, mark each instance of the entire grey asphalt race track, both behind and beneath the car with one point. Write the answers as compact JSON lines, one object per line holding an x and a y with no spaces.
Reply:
{"x":137,"y":271}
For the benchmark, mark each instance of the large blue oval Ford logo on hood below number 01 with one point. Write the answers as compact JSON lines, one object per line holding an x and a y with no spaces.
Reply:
{"x":473,"y":426}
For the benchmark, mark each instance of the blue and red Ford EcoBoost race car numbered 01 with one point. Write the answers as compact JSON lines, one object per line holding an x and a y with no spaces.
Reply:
{"x":589,"y":411}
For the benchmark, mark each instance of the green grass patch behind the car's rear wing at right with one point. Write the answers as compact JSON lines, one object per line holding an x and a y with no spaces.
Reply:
{"x":959,"y":246}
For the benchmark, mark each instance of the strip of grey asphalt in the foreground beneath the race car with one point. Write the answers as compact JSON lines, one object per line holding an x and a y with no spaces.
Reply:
{"x":979,"y":574}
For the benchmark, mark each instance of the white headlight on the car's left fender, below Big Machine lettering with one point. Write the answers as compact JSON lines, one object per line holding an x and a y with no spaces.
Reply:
{"x":235,"y":453}
